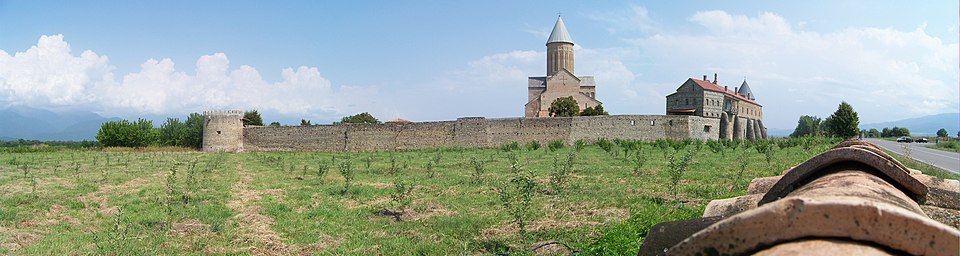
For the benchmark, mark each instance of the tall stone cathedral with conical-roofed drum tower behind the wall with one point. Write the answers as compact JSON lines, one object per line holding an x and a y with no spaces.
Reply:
{"x":560,"y":80}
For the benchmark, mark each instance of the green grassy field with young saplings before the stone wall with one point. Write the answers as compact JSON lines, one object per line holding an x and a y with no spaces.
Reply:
{"x":435,"y":202}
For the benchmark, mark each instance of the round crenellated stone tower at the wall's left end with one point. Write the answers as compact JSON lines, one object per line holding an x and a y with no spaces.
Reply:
{"x":223,"y":131}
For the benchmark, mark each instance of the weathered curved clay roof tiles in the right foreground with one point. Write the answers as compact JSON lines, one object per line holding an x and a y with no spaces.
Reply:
{"x":853,"y":199}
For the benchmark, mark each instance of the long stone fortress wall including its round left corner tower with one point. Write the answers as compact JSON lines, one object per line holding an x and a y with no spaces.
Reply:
{"x":465,"y":132}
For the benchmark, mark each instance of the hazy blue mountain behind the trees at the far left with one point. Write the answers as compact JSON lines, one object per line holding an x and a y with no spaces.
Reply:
{"x":38,"y":124}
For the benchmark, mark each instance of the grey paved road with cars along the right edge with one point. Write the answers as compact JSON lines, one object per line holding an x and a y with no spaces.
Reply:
{"x":949,"y":161}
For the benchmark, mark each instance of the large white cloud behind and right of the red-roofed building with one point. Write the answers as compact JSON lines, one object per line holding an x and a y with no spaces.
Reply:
{"x":886,"y":74}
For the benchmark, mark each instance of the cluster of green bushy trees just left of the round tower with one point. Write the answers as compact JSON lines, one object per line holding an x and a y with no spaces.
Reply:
{"x":141,"y":133}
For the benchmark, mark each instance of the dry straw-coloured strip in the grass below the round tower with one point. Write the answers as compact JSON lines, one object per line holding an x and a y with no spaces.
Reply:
{"x":256,"y":233}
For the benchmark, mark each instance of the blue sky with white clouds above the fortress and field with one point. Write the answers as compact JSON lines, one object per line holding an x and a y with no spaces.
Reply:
{"x":438,"y":60}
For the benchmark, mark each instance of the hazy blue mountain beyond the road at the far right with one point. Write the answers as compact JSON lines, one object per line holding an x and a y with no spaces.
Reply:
{"x":925,"y":125}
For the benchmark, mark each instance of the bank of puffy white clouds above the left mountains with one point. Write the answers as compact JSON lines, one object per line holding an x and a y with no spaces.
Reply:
{"x":49,"y":75}
